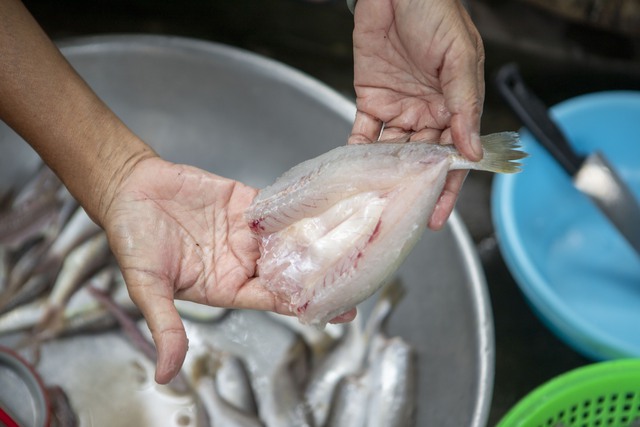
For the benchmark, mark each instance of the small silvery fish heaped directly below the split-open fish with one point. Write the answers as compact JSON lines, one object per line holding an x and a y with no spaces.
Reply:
{"x":351,"y":375}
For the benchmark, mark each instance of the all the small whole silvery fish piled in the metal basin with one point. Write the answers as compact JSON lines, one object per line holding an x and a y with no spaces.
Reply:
{"x":58,"y":278}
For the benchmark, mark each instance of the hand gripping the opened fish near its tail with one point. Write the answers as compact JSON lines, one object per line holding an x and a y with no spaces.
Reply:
{"x":419,"y":74}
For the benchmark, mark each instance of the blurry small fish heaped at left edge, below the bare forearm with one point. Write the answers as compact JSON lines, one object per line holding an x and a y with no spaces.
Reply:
{"x":49,"y":249}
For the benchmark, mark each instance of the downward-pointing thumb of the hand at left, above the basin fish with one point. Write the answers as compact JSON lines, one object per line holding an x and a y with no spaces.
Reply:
{"x":155,"y":301}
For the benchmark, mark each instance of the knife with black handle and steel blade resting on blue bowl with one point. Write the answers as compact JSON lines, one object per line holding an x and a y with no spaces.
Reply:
{"x":593,"y":174}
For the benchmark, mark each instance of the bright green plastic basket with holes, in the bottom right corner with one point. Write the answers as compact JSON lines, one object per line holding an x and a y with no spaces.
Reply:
{"x":605,"y":394}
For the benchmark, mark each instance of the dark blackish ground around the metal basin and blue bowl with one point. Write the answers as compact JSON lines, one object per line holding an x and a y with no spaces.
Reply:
{"x":558,"y":57}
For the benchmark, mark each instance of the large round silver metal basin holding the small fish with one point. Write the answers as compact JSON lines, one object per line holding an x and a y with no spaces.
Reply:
{"x":249,"y":118}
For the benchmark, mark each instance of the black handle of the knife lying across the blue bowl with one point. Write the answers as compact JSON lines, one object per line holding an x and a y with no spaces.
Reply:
{"x":535,"y":116}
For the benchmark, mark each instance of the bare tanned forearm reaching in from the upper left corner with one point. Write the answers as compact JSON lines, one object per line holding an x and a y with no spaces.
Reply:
{"x":45,"y":101}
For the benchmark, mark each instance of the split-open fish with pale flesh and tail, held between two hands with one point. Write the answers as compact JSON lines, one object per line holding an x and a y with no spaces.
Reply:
{"x":334,"y":228}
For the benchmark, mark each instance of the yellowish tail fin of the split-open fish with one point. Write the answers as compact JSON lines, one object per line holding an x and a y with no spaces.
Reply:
{"x":500,"y":152}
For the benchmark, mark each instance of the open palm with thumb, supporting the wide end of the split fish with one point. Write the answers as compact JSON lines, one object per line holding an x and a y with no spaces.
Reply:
{"x":178,"y":231}
